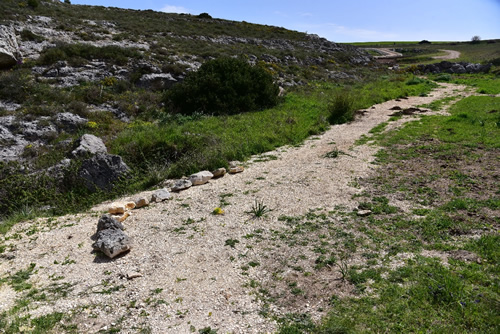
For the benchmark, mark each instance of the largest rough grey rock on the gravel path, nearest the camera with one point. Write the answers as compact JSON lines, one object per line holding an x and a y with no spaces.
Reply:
{"x":110,"y":238}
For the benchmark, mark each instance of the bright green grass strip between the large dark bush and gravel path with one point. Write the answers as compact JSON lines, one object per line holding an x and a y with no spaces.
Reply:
{"x":176,"y":148}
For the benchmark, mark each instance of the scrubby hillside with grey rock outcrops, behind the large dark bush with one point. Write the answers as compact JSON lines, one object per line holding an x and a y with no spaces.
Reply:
{"x":69,"y":70}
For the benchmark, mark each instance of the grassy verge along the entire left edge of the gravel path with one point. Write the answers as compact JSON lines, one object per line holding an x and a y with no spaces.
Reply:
{"x":172,"y":146}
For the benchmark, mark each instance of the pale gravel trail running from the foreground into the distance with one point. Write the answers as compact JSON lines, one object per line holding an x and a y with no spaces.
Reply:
{"x":188,"y":277}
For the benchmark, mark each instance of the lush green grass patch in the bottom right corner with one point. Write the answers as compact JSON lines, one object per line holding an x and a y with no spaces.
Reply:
{"x":421,"y":296}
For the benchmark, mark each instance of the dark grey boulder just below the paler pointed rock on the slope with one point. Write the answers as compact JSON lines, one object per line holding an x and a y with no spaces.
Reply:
{"x":102,"y":170}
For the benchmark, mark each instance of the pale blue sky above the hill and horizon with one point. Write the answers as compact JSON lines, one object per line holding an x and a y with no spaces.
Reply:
{"x":347,"y":20}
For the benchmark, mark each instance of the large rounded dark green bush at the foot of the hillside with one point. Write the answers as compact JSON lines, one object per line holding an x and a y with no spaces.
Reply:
{"x":223,"y":86}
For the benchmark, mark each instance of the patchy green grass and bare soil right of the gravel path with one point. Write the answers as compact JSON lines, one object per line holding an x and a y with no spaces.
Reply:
{"x":433,"y":266}
